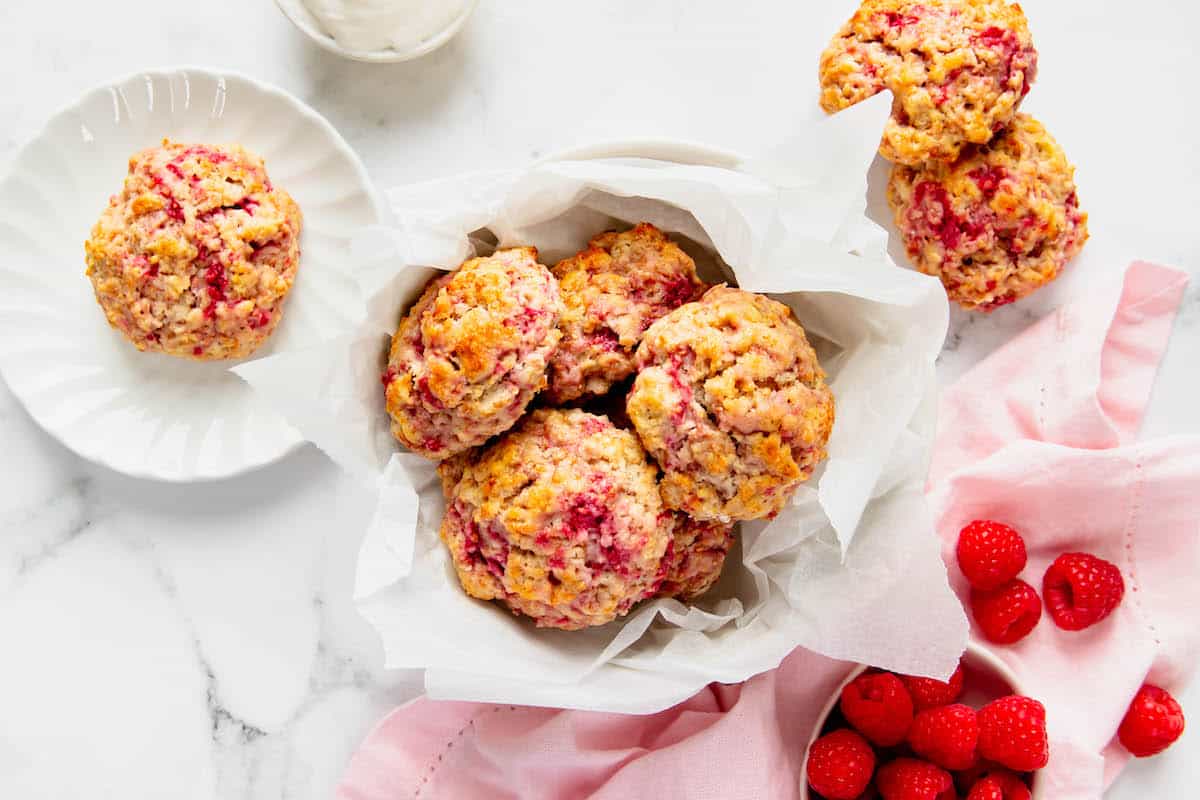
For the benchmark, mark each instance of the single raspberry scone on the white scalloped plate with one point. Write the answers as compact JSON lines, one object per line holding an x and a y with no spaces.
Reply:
{"x":197,"y":252}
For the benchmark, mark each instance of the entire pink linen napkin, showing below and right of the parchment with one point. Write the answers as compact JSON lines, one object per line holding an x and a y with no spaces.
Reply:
{"x":1040,"y":436}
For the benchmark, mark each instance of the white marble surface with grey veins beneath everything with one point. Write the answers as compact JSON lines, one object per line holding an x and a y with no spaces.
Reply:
{"x":199,"y":642}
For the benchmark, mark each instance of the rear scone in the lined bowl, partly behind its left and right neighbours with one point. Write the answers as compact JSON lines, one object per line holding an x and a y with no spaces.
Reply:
{"x":614,"y":291}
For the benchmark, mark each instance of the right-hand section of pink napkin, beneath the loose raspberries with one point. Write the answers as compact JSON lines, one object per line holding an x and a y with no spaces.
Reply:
{"x":1040,"y":436}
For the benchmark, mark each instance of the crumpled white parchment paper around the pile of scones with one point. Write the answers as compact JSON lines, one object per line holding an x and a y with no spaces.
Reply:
{"x":851,"y":570}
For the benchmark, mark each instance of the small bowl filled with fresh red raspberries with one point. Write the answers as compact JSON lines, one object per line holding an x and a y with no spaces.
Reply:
{"x":892,"y":737}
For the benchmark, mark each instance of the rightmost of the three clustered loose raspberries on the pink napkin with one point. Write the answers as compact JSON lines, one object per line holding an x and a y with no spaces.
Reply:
{"x":1082,"y":591}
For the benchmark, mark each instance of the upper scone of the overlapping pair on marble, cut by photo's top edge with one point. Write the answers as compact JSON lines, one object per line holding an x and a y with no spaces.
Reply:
{"x":957,"y":69}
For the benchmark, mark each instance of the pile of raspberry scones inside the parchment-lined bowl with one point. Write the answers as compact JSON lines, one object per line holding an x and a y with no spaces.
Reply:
{"x":602,"y":426}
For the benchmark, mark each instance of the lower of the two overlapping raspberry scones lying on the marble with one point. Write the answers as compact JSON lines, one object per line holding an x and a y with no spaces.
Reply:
{"x":998,"y":224}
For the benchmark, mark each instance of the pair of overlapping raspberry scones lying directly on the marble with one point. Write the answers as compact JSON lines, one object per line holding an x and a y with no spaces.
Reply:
{"x":983,"y":196}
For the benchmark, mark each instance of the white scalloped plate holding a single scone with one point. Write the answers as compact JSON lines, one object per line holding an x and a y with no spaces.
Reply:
{"x":145,"y":414}
